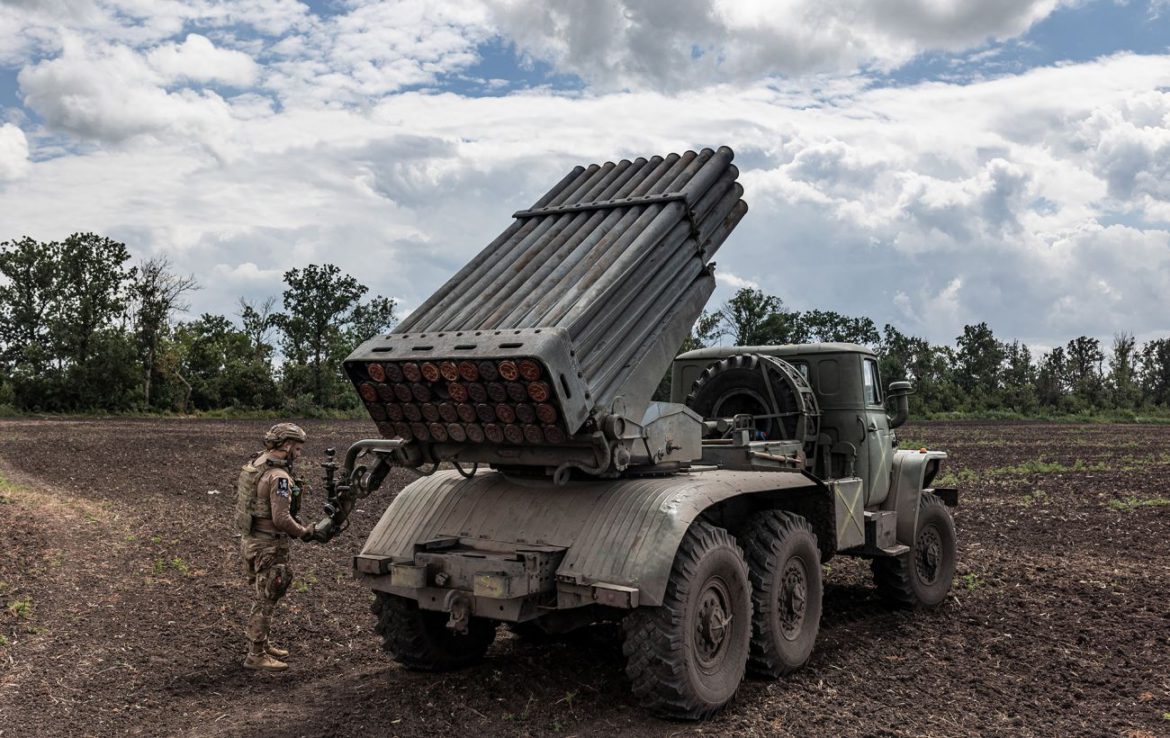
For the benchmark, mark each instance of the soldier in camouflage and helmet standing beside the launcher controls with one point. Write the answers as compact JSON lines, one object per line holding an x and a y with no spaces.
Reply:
{"x":267,"y":498}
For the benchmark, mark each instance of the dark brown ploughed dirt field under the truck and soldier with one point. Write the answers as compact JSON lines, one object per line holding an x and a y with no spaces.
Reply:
{"x":123,"y":606}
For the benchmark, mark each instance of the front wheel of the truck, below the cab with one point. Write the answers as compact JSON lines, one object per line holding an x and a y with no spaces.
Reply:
{"x":921,"y":578}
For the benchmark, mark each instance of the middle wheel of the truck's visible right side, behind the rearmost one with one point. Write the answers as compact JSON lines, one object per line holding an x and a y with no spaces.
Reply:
{"x":784,"y":567}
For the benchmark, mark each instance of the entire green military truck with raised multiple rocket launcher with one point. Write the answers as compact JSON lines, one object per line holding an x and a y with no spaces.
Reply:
{"x":555,"y":494}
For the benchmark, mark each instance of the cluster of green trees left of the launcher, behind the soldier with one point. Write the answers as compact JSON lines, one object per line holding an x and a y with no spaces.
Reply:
{"x":82,"y":329}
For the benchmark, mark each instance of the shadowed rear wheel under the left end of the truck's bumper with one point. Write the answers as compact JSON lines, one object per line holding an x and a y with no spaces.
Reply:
{"x":421,"y":639}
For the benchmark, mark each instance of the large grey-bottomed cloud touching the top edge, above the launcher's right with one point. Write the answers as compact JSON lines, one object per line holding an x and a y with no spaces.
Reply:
{"x":678,"y":44}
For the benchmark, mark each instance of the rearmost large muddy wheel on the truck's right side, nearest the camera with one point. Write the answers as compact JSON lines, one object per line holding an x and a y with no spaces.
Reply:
{"x":686,"y":658}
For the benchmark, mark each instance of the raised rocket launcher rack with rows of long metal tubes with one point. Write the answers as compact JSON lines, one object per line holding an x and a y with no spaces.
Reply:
{"x":543,"y":353}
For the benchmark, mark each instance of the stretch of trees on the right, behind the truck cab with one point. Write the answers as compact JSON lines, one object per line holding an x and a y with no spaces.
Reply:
{"x":979,"y":375}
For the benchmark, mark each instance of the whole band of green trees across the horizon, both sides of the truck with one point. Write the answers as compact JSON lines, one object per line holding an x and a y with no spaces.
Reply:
{"x":82,"y":329}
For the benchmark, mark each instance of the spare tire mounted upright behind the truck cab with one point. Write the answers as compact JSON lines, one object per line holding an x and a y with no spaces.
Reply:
{"x":766,"y":388}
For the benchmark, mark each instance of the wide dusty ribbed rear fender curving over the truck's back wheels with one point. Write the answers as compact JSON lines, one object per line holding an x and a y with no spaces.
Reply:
{"x":623,"y":533}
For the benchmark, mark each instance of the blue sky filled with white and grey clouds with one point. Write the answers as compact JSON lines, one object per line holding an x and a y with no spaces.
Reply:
{"x":927,"y":163}
